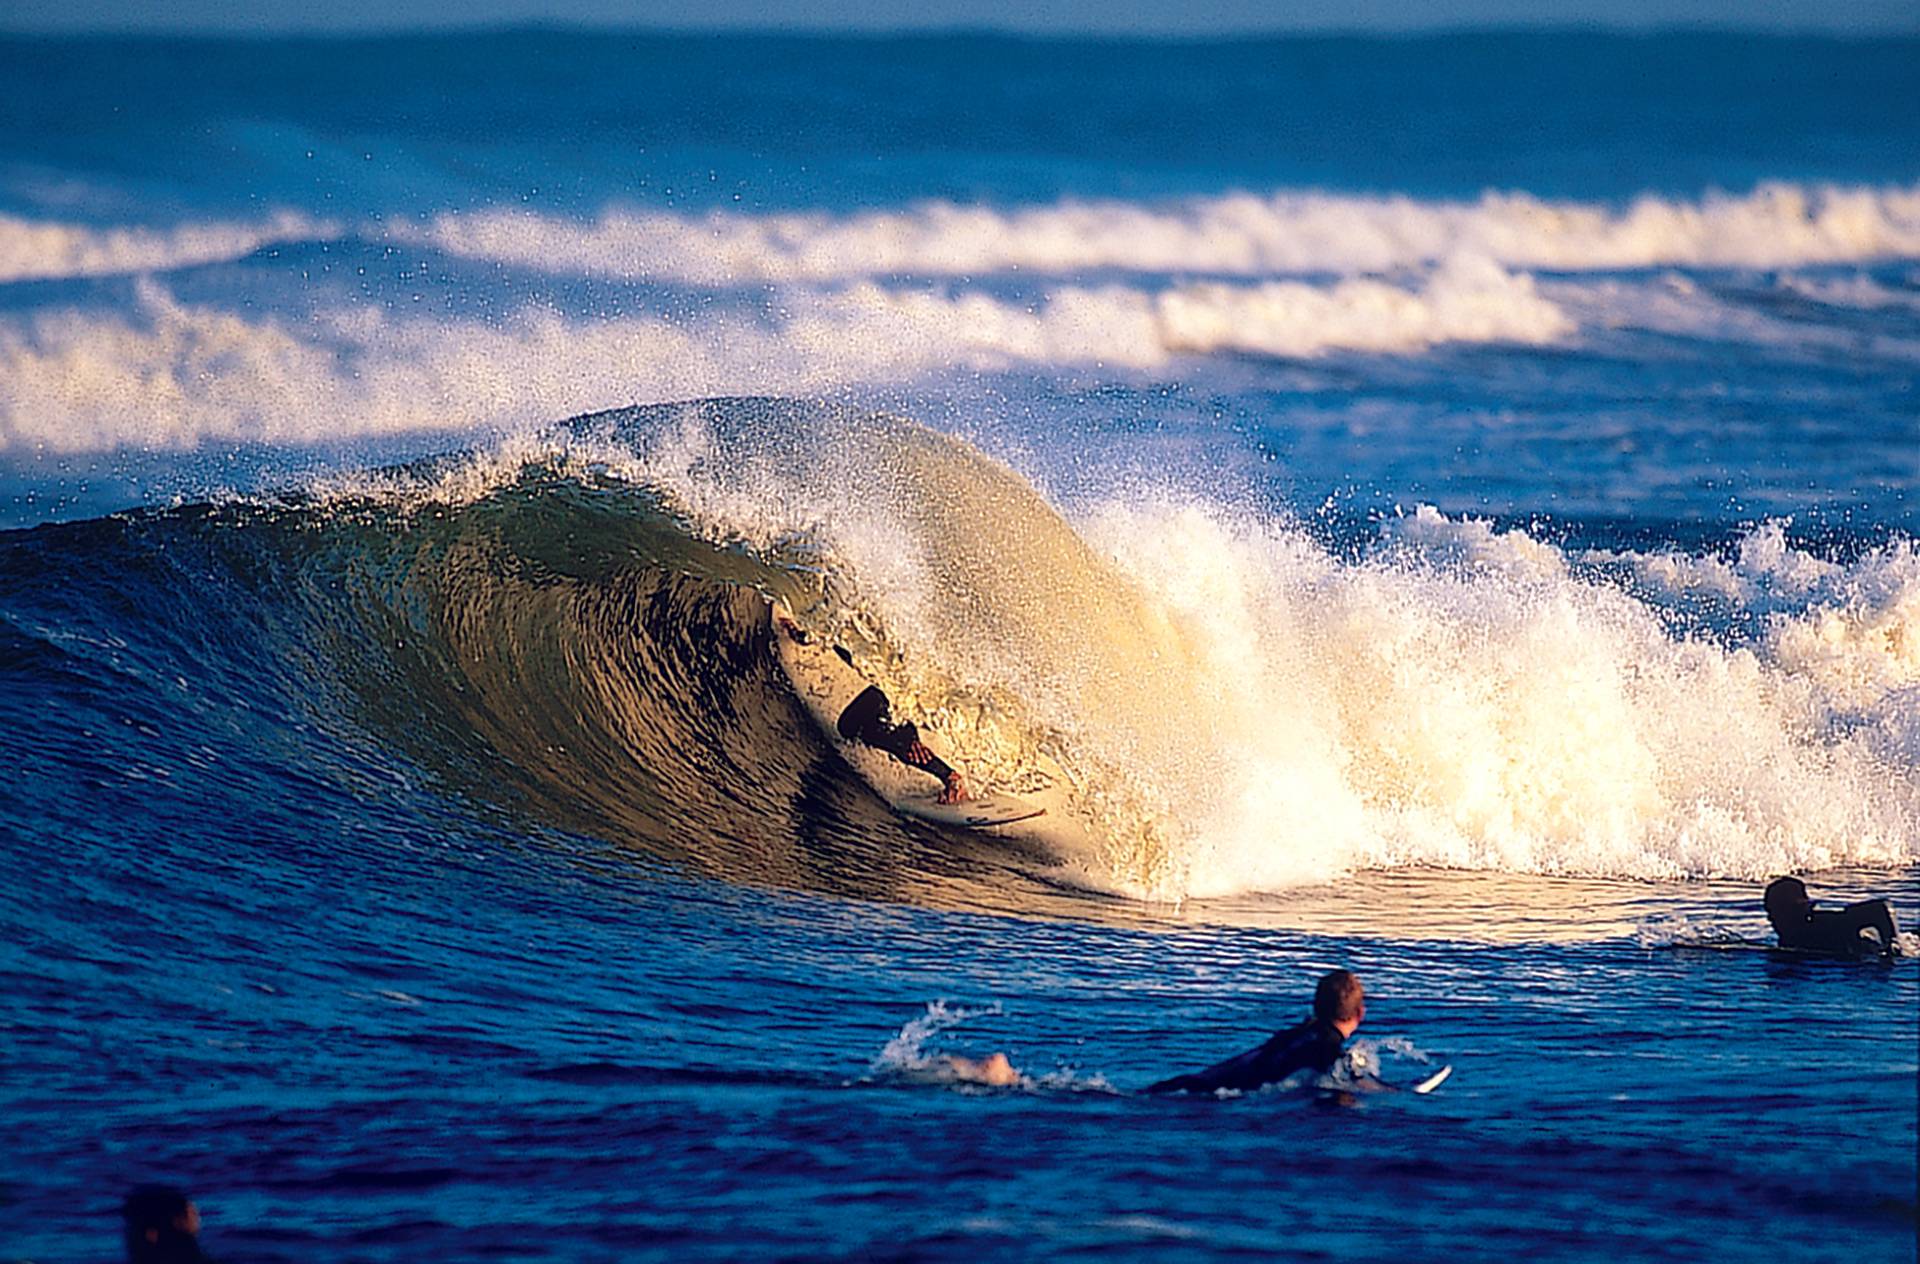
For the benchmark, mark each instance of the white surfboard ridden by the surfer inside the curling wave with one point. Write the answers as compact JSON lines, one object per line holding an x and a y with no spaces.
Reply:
{"x":827,"y":685}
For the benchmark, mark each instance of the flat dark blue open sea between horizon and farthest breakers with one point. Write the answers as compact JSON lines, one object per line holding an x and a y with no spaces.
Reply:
{"x":575,"y":118}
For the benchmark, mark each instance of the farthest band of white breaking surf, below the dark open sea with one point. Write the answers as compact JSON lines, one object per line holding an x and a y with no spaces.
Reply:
{"x":1234,"y":235}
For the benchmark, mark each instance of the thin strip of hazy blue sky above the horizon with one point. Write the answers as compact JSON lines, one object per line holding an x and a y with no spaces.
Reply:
{"x":1036,"y":16}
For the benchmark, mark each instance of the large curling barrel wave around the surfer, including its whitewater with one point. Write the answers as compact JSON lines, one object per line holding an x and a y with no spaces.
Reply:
{"x":573,"y":629}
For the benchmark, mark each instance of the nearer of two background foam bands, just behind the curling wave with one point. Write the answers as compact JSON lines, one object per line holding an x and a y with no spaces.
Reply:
{"x":176,"y":376}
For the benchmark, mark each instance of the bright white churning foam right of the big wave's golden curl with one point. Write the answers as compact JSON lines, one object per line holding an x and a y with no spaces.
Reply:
{"x":1466,"y":700}
